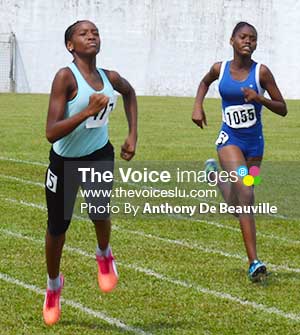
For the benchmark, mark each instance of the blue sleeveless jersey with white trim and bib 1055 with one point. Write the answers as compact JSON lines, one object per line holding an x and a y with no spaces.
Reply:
{"x":240,"y":117}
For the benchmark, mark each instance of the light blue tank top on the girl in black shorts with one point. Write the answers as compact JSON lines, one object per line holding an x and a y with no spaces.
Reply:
{"x":83,"y":140}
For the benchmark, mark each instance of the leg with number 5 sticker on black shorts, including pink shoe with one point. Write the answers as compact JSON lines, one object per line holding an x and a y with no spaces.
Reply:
{"x":58,"y":222}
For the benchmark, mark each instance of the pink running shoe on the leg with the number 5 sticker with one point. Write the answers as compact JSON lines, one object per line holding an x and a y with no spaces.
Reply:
{"x":52,"y":307}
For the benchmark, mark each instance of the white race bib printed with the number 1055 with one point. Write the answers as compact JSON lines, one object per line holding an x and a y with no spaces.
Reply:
{"x":240,"y":116}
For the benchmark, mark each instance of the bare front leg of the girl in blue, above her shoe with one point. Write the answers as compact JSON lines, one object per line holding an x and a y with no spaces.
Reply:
{"x":231,"y":157}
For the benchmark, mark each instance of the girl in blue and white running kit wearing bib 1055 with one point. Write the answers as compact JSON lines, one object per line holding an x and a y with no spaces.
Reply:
{"x":240,"y":142}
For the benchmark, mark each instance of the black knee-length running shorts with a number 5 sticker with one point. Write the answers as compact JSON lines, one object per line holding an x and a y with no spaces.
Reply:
{"x":93,"y":173}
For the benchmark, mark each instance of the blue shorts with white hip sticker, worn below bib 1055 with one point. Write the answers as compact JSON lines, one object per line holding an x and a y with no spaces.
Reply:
{"x":251,"y":145}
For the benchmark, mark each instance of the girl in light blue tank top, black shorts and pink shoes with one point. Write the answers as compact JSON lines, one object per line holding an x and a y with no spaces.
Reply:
{"x":82,"y":96}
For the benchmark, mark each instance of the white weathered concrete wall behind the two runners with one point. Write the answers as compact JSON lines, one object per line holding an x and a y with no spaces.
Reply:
{"x":162,"y":47}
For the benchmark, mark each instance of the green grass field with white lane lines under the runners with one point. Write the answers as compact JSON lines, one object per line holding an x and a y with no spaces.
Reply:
{"x":178,"y":274}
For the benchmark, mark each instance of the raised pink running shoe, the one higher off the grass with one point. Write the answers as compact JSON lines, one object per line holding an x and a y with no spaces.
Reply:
{"x":107,"y":272}
